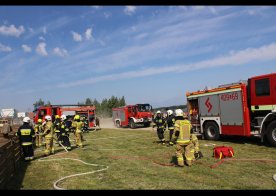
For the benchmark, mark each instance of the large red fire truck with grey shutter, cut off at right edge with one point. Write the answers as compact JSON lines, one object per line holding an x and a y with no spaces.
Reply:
{"x":246,"y":108}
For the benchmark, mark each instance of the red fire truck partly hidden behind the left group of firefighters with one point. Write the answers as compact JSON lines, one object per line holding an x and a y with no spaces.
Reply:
{"x":87,"y":111}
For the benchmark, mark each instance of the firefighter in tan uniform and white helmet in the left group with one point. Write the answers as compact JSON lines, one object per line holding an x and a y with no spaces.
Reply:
{"x":48,"y":132}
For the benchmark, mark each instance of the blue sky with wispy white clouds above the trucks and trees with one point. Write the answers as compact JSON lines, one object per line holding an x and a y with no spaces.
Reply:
{"x":152,"y":54}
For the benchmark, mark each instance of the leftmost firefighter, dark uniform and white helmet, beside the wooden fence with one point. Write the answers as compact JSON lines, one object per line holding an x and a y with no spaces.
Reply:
{"x":26,"y":136}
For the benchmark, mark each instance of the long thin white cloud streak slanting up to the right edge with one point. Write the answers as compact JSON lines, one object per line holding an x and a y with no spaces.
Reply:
{"x":263,"y":53}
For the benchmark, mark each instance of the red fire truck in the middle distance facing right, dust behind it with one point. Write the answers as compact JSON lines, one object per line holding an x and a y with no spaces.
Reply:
{"x":132,"y":115}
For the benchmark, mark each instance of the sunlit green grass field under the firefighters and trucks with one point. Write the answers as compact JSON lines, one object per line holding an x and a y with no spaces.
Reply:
{"x":129,"y":155}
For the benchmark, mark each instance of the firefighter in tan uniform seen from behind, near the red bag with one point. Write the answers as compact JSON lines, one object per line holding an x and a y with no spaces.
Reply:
{"x":183,"y":137}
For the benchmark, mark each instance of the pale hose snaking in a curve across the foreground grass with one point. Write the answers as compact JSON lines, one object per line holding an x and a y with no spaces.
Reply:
{"x":73,"y":175}
